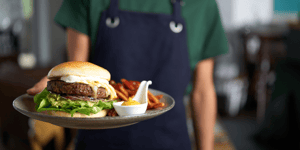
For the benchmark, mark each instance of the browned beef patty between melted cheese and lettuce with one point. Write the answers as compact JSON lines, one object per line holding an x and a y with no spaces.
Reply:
{"x":74,"y":89}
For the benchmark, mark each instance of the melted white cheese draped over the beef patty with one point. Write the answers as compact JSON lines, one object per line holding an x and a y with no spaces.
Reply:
{"x":95,"y":83}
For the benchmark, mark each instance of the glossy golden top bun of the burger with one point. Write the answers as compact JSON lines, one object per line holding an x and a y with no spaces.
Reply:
{"x":79,"y":68}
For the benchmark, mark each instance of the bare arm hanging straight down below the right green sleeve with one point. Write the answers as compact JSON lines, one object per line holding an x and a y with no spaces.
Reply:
{"x":204,"y":104}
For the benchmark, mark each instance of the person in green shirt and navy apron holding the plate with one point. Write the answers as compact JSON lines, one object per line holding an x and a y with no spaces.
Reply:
{"x":161,"y":41}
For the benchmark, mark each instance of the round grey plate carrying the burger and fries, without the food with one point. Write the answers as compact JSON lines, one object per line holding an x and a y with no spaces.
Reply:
{"x":25,"y":105}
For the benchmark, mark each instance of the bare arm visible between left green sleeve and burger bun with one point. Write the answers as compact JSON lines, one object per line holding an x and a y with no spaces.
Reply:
{"x":78,"y":45}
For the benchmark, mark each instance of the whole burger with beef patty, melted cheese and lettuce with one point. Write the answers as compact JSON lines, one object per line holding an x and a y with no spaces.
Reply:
{"x":76,"y":89}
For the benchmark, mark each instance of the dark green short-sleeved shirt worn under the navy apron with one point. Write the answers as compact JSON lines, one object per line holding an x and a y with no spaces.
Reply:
{"x":205,"y":35}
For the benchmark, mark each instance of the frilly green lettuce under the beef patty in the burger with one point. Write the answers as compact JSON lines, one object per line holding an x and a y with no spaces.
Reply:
{"x":49,"y":101}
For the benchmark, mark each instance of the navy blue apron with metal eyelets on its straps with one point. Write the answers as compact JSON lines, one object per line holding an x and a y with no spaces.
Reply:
{"x":143,"y":46}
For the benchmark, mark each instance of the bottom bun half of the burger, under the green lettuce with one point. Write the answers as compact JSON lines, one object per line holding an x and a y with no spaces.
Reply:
{"x":102,"y":113}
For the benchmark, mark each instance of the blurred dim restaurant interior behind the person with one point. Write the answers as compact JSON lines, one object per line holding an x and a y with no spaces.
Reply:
{"x":264,"y":42}
